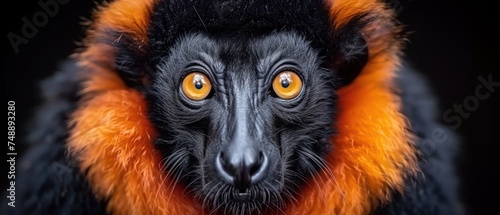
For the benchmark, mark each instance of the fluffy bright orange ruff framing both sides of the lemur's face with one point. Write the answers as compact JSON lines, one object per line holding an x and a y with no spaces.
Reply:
{"x":112,"y":137}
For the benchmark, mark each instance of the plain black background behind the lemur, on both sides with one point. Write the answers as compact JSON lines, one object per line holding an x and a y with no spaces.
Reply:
{"x":451,"y":43}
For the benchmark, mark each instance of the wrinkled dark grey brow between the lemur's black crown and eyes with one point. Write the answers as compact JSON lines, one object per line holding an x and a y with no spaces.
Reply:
{"x":261,"y":52}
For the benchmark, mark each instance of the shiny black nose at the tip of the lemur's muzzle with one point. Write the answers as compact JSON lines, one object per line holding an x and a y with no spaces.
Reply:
{"x":242,"y":168}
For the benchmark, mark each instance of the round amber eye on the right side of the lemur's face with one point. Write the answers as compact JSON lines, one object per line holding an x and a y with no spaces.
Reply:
{"x":287,"y":85}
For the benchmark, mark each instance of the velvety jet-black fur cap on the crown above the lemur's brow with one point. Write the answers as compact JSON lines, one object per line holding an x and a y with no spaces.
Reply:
{"x":239,"y":19}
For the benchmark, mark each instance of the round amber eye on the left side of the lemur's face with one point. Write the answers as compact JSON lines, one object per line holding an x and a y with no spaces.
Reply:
{"x":196,"y":86}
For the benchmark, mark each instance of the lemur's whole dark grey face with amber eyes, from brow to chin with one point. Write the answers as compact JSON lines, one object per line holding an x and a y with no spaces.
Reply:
{"x":242,"y":123}
